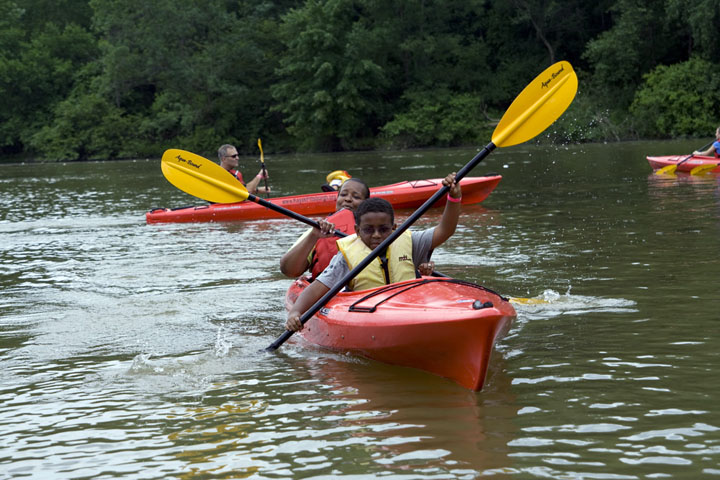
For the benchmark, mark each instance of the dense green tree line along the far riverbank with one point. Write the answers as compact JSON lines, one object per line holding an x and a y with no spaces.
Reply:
{"x":84,"y":79}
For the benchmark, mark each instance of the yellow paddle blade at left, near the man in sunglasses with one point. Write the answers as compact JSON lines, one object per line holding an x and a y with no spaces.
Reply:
{"x":202,"y":178}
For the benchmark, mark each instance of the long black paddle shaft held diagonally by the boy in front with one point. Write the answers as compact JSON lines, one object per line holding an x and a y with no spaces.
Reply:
{"x":380,"y":248}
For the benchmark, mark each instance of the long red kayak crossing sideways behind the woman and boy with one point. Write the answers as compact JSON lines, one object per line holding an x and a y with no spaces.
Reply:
{"x":401,"y":195}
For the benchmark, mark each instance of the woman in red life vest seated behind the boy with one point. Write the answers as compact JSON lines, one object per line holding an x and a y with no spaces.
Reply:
{"x":316,"y":247}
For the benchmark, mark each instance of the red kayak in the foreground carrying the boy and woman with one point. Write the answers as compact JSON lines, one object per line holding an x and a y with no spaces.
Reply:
{"x":441,"y":325}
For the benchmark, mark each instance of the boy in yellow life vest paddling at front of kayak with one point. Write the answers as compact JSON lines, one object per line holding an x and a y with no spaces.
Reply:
{"x":375,"y":221}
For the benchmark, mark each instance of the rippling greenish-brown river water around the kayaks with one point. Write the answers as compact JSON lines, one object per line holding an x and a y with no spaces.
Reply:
{"x":132,"y":351}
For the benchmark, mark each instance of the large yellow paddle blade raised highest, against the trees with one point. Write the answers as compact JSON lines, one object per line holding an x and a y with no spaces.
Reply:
{"x":538,"y":105}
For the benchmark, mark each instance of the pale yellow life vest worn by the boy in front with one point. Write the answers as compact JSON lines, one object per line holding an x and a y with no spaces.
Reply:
{"x":399,"y":259}
